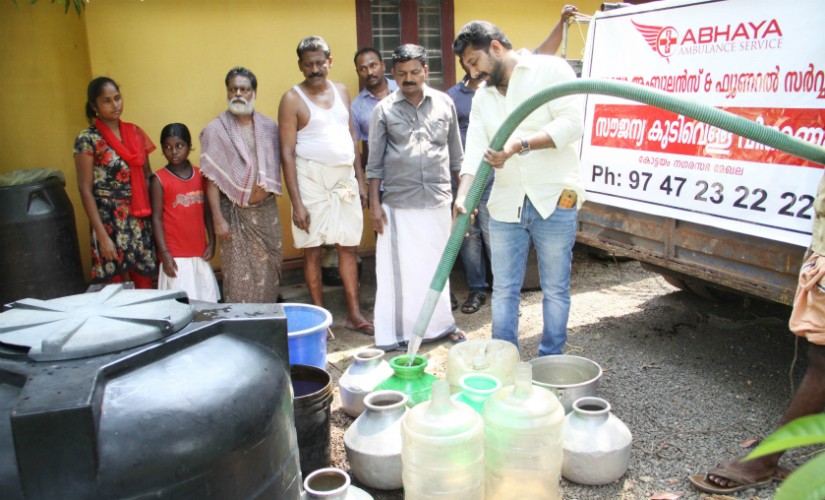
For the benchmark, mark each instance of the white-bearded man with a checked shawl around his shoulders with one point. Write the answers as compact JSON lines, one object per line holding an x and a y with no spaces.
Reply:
{"x":240,"y":158}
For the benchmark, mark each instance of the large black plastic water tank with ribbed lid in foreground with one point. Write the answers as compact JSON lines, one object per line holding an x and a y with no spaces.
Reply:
{"x":120,"y":396}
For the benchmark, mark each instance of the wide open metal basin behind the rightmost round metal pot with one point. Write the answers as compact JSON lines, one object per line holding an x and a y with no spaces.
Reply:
{"x":569,"y":377}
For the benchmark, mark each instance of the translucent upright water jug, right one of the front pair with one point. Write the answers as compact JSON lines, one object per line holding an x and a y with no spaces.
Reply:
{"x":523,"y":440}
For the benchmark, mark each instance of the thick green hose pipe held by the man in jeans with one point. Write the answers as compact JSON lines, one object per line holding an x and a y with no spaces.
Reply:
{"x":702,"y":112}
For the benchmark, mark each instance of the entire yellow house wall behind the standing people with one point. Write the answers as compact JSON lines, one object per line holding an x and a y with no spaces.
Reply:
{"x":170,"y":58}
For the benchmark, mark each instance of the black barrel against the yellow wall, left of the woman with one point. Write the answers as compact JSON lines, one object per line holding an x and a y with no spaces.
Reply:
{"x":39,"y":254}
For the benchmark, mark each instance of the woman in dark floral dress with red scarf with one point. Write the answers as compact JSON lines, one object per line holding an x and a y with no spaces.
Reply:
{"x":112,"y":163}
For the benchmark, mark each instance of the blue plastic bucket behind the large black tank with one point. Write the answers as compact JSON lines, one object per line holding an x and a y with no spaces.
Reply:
{"x":307,"y":331}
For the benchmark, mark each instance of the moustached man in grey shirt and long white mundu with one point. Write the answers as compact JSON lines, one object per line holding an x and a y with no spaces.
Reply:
{"x":414,"y":148}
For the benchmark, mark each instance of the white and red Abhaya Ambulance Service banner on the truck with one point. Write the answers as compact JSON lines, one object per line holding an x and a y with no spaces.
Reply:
{"x":758,"y":59}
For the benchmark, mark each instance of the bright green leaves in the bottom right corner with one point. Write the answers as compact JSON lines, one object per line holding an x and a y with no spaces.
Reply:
{"x":807,"y":482}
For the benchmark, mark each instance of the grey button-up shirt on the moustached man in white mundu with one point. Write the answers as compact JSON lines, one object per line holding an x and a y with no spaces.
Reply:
{"x":414,"y":150}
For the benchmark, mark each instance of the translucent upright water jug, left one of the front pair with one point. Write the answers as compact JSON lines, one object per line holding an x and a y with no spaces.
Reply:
{"x":442,"y":454}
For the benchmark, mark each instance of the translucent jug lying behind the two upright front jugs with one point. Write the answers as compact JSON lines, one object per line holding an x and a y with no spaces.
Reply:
{"x":493,"y":357}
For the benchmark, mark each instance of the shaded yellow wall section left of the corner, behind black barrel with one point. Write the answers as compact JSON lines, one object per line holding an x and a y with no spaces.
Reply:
{"x":44,"y":61}
